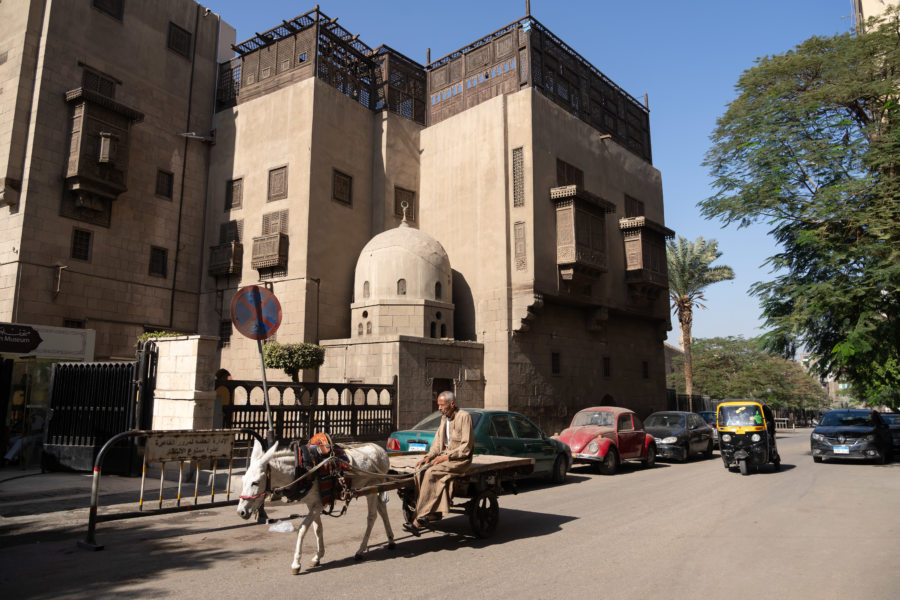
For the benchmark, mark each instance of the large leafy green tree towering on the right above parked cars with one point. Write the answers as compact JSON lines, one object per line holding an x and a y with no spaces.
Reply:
{"x":810,"y":146}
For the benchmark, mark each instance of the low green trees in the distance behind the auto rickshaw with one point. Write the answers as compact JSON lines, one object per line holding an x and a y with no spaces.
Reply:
{"x":733,"y":367}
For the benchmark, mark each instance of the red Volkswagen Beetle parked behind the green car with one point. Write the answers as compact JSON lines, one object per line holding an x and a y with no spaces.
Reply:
{"x":607,"y":435}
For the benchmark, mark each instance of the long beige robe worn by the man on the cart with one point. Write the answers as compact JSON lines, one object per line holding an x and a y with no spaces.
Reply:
{"x":434,"y":482}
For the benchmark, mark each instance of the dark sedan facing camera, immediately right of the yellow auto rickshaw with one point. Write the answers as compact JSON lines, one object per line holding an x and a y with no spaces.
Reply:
{"x":851,"y":433}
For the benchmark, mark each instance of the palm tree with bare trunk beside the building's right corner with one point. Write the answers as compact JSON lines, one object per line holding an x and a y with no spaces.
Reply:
{"x":689,"y":275}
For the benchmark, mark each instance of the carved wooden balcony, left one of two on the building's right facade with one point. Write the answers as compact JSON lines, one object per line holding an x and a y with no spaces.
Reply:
{"x":580,"y":232}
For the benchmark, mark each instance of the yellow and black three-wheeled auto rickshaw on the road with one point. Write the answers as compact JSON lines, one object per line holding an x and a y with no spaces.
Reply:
{"x":746,"y":435}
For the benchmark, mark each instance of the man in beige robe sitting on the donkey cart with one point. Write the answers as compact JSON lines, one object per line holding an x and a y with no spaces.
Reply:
{"x":450,"y":454}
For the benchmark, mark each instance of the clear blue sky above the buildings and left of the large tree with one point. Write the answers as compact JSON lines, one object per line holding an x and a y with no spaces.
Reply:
{"x":686,"y":56}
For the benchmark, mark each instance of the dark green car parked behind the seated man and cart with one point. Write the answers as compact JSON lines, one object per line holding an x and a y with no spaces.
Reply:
{"x":496,"y":432}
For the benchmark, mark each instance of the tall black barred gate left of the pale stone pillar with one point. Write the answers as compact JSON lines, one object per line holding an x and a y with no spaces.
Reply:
{"x":92,"y":402}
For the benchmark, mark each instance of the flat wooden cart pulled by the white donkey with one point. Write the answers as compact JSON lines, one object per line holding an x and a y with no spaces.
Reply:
{"x":474,"y":492}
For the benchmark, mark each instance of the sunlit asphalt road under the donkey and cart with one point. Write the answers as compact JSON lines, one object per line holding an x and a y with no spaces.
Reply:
{"x":676,"y":531}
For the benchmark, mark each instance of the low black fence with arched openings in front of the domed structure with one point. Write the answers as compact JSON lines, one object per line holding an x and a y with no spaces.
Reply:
{"x":346,"y":411}
